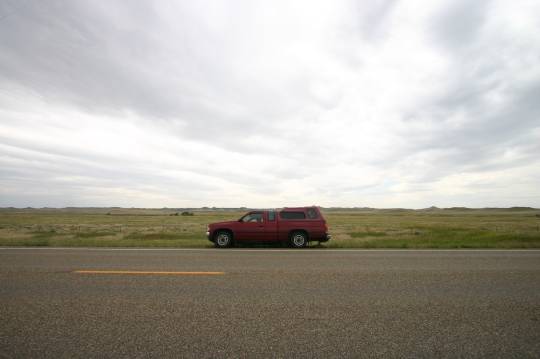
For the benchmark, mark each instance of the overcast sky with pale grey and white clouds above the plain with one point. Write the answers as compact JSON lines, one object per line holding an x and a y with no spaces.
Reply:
{"x":269,"y":103}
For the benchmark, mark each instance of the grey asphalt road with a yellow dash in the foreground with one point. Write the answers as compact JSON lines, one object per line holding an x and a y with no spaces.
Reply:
{"x":269,"y":303}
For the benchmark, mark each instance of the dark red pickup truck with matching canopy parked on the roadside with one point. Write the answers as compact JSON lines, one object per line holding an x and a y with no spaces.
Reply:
{"x":293,"y":226}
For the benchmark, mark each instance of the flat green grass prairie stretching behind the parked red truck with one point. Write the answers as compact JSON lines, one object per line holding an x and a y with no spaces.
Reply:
{"x":438,"y":228}
